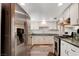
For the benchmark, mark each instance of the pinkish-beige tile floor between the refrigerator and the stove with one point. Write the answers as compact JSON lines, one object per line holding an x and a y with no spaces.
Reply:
{"x":41,"y":50}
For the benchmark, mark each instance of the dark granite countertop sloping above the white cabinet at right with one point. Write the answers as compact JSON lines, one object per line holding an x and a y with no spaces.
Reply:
{"x":69,"y":40}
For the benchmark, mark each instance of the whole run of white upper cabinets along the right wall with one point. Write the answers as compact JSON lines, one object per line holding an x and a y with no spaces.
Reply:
{"x":72,"y":13}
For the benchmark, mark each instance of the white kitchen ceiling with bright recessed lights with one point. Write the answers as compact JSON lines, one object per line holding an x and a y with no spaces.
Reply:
{"x":44,"y":11}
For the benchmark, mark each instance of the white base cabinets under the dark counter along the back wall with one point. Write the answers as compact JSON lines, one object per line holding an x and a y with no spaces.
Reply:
{"x":42,"y":40}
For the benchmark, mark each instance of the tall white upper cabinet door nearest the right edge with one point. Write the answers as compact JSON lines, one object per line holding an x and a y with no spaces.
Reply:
{"x":74,"y":14}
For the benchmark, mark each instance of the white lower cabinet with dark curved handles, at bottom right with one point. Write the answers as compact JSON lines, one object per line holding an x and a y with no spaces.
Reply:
{"x":68,"y":49}
